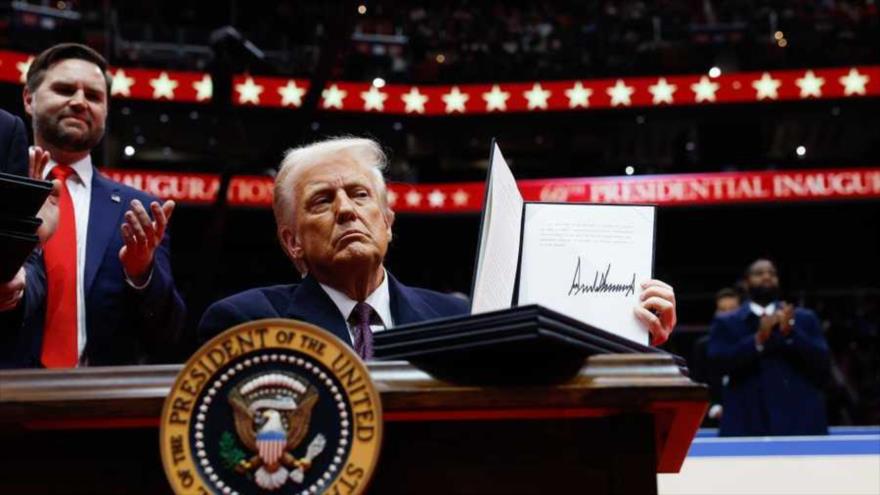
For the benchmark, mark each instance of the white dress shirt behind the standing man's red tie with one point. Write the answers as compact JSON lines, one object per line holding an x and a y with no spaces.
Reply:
{"x":80,"y":186}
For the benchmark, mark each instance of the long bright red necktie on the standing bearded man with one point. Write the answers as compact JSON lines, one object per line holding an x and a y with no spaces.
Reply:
{"x":60,"y":348}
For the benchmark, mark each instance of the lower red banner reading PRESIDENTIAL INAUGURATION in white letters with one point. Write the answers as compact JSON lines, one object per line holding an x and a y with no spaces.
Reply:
{"x":467,"y":197}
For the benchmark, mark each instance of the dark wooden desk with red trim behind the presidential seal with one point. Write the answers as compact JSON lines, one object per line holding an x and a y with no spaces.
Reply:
{"x":610,"y":429}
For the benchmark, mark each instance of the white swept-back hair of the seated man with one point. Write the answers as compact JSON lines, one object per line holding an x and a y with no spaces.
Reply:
{"x":364,"y":151}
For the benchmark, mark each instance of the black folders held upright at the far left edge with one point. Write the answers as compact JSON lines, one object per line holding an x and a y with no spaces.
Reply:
{"x":20,"y":200}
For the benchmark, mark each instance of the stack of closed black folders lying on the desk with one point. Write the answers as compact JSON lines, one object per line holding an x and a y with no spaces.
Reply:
{"x":521,"y":345}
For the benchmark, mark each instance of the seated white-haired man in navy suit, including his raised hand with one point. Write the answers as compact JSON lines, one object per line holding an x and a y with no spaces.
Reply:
{"x":334,"y":223}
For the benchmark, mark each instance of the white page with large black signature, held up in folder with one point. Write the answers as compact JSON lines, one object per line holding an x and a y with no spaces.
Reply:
{"x":588,"y":261}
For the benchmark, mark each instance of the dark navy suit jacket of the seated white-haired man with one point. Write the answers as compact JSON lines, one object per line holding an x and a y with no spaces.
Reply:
{"x":308,"y":302}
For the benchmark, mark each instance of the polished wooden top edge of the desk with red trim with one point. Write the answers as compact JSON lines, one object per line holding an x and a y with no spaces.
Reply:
{"x":132,"y":396}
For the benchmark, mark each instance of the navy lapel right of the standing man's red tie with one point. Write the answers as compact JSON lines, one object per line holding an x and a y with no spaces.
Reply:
{"x":104,"y":214}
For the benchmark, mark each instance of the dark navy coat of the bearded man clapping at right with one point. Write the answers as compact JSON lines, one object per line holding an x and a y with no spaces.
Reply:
{"x":777,"y":391}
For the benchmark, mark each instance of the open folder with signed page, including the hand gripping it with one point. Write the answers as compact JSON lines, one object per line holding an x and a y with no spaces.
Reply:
{"x":589,"y":261}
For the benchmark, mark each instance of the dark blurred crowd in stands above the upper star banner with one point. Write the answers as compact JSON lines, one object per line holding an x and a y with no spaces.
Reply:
{"x":467,"y":40}
